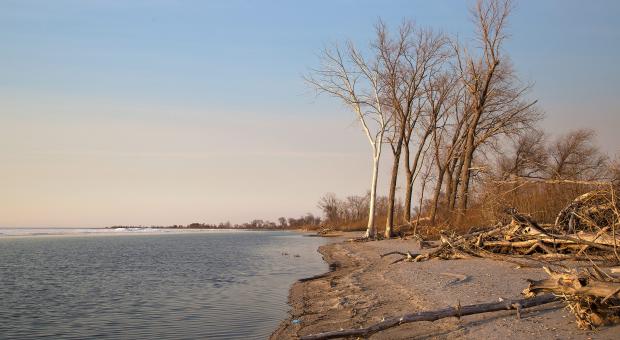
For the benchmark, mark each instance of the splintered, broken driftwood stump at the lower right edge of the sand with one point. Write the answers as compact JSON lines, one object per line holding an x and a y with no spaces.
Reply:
{"x":592,"y":295}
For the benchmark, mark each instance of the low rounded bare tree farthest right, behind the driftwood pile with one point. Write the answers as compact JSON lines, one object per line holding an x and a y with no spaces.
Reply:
{"x":576,"y":156}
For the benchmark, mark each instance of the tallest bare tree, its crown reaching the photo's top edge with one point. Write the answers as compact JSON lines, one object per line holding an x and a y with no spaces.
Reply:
{"x":495,"y":100}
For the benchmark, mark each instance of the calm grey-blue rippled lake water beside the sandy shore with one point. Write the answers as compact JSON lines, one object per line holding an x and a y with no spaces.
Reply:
{"x":209,"y":285}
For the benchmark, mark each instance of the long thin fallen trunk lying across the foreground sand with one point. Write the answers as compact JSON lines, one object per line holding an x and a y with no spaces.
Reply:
{"x":436,"y":315}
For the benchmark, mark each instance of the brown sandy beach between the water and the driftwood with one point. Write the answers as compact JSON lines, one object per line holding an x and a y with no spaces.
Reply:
{"x":364,"y":288}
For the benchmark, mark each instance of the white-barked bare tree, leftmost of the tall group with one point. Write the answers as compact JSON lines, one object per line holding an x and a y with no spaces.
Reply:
{"x":357,"y":81}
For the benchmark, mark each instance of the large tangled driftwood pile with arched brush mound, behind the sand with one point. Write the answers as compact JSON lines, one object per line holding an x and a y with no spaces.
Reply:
{"x":585,"y":231}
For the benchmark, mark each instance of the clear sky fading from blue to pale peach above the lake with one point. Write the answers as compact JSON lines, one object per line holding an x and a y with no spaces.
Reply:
{"x":172,"y":112}
